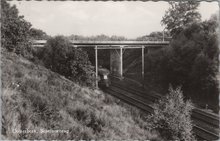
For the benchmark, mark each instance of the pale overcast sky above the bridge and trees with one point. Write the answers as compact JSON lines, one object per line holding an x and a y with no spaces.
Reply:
{"x":129,"y":19}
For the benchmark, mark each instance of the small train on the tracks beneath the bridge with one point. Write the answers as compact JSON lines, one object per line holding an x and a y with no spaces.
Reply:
{"x":104,"y":81}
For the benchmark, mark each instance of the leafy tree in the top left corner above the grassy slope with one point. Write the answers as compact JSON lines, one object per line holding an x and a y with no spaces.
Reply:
{"x":14,"y":30}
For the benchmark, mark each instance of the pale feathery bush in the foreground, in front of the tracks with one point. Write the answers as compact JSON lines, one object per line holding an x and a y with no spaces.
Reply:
{"x":171,"y":117}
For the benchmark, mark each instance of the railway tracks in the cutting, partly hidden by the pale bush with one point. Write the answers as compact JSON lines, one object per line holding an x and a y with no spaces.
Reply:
{"x":144,"y":102}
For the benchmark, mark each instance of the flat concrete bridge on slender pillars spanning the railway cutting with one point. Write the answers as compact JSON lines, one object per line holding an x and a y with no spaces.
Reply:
{"x":116,"y":48}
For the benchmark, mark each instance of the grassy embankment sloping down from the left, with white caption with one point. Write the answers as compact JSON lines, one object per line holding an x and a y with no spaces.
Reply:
{"x":35,"y":98}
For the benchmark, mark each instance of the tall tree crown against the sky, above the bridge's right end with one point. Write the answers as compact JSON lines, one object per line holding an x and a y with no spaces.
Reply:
{"x":179,"y":15}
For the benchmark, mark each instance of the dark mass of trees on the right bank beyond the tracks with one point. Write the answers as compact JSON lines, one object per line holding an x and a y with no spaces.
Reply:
{"x":191,"y":61}
